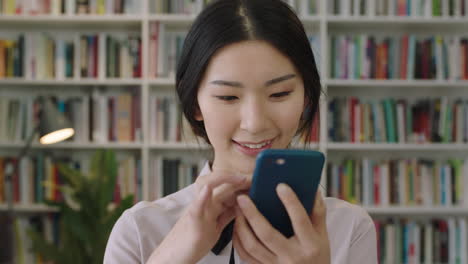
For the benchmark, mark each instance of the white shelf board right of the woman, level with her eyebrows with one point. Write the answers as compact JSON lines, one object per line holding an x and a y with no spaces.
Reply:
{"x":396,"y":83}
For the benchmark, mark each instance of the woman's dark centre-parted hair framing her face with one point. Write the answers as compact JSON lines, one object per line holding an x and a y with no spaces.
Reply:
{"x":225,"y":22}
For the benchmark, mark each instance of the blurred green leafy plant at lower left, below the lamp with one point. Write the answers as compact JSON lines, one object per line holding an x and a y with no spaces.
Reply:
{"x":86,"y":220}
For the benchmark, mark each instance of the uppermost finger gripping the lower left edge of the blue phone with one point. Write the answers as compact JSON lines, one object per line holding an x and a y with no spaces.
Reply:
{"x":268,"y":235}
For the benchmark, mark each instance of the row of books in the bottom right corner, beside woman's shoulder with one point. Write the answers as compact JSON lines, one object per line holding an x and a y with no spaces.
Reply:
{"x":438,"y":241}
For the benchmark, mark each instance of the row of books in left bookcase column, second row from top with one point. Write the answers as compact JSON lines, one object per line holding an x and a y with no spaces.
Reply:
{"x":54,"y":56}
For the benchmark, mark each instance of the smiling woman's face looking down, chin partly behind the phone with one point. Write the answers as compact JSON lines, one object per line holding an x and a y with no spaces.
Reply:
{"x":251,"y":98}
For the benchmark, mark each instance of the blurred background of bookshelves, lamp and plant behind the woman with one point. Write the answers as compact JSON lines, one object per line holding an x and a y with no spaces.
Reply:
{"x":393,"y":121}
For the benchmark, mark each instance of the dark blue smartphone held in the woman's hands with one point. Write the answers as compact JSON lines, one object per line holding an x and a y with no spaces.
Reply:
{"x":300,"y":169}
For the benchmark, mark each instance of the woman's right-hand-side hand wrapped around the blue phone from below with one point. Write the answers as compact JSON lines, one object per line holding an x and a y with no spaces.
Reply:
{"x":257,"y":241}
